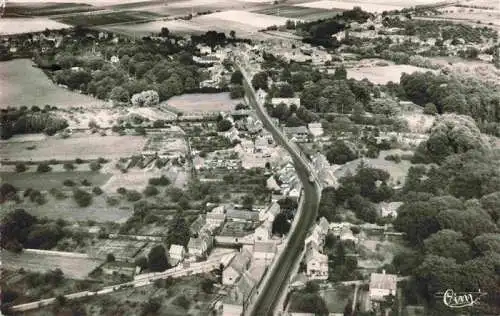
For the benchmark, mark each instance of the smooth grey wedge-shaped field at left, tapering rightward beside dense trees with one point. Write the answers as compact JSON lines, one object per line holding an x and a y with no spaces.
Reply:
{"x":19,"y":76}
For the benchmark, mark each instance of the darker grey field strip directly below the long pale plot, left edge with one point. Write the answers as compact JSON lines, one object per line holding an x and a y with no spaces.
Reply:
{"x":49,"y":180}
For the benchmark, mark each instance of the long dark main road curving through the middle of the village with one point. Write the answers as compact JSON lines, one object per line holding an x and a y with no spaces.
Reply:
{"x":270,"y":293}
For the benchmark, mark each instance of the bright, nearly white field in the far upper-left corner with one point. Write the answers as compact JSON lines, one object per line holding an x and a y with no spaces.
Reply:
{"x":10,"y":26}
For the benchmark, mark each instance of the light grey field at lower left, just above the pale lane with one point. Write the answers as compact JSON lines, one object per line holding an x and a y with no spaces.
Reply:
{"x":74,"y":268}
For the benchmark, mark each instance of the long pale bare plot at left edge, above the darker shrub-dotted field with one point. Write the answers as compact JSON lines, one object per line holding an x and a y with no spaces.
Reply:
{"x":77,"y":146}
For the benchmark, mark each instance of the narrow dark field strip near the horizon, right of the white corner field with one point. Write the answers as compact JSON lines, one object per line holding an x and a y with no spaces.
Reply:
{"x":108,"y":18}
